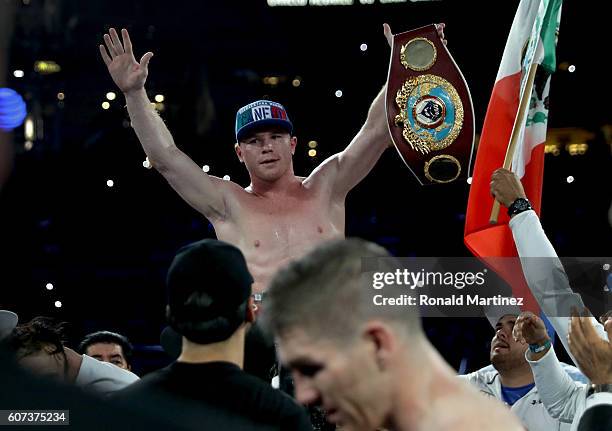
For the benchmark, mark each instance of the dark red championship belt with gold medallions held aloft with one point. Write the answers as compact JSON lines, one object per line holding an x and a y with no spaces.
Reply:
{"x":429,"y":108}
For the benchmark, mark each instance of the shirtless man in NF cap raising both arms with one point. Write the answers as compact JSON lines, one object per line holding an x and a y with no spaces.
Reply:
{"x":279,"y":216}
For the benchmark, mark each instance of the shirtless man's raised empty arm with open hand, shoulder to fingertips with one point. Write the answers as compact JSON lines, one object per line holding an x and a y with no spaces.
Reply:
{"x":201,"y":191}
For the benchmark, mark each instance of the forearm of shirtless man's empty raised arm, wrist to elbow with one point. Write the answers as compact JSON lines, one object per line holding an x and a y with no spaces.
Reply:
{"x":151,"y":130}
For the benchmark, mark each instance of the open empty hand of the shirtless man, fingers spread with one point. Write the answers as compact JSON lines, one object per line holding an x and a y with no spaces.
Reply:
{"x":122,"y":66}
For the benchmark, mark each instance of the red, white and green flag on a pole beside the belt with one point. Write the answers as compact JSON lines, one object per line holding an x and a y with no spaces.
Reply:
{"x":532,"y":39}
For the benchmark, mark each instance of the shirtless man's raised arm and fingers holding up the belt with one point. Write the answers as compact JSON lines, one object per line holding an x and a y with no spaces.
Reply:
{"x":351,"y":165}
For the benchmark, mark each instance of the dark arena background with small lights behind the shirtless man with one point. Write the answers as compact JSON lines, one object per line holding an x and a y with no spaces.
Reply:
{"x":106,"y":250}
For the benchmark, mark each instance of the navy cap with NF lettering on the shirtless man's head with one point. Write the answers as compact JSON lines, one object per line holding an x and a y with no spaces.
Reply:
{"x":261,"y":113}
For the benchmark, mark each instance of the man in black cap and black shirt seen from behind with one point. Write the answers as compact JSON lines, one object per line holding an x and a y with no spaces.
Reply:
{"x":210,"y":305}
